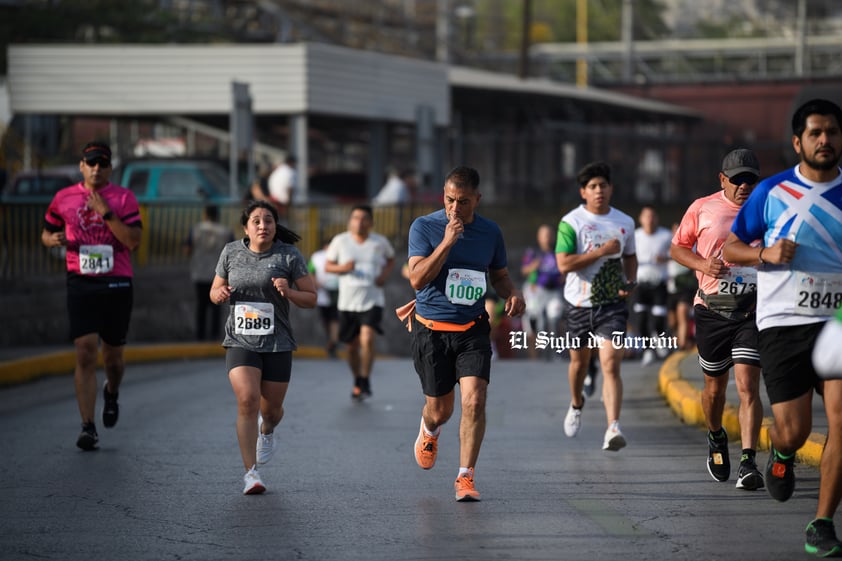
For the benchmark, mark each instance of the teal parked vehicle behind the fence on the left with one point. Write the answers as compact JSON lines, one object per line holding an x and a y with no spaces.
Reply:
{"x":174,"y":180}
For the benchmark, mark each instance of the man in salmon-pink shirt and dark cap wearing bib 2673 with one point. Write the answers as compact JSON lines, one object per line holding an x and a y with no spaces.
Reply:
{"x":724,"y":309}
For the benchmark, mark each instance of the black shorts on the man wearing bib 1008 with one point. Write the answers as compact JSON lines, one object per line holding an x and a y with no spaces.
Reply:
{"x":441,"y":358}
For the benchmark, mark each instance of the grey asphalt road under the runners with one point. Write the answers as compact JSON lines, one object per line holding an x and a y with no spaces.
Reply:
{"x":167,"y":481}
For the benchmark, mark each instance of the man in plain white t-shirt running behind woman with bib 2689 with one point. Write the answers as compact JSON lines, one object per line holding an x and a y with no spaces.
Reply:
{"x":363,"y":259}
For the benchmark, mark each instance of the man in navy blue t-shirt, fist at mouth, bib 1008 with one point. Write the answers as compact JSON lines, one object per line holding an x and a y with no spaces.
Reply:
{"x":454,"y":254}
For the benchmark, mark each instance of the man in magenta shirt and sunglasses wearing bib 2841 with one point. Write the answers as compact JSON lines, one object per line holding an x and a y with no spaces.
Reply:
{"x":99,"y":225}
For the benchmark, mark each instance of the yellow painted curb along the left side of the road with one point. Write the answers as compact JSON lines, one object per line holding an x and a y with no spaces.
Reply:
{"x":64,"y":362}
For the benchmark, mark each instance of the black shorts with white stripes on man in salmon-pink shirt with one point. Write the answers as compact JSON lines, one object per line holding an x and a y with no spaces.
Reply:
{"x":723,"y":342}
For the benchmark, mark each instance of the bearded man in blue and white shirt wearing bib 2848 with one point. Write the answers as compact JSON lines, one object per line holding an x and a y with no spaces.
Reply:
{"x":797,"y":214}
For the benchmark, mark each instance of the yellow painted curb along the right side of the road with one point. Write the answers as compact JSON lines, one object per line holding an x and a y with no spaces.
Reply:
{"x":685,"y":401}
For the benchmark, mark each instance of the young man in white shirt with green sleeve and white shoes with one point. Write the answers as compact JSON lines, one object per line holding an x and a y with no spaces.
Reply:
{"x":595,"y":248}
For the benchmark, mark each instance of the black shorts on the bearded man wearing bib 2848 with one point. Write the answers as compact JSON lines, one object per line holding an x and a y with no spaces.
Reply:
{"x":786,"y":354}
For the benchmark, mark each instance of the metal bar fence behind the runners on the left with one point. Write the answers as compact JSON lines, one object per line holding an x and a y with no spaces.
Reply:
{"x":166,"y":227}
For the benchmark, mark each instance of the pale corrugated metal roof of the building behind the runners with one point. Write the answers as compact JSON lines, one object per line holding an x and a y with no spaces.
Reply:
{"x":283,"y":79}
